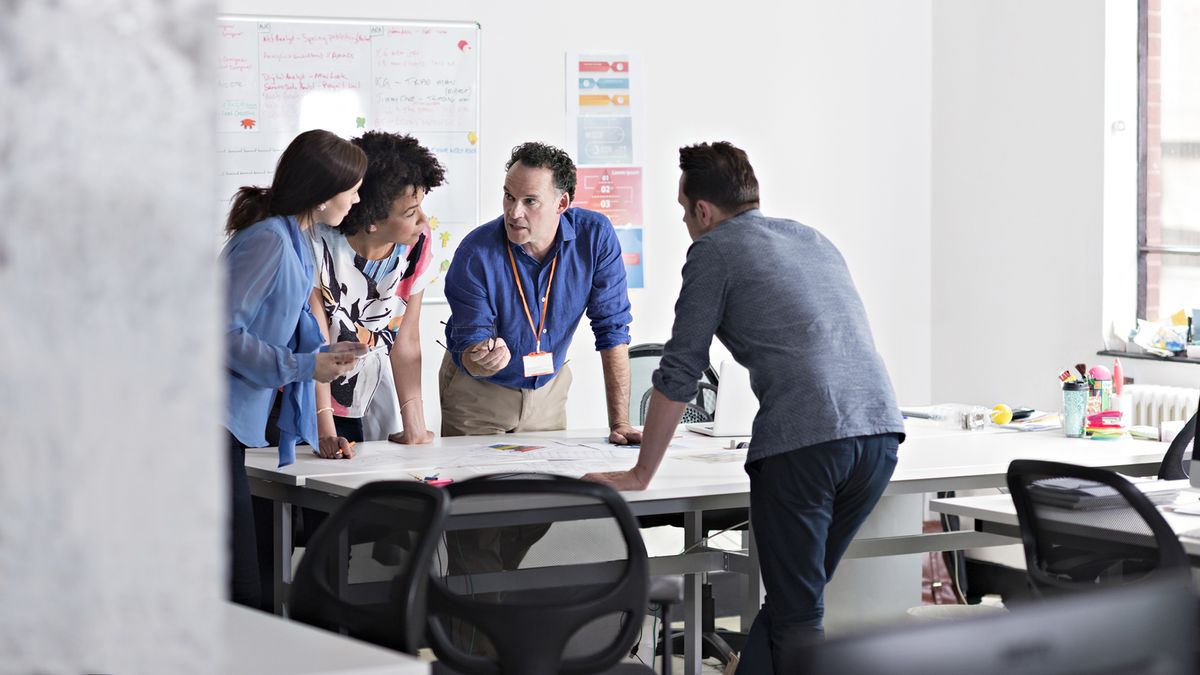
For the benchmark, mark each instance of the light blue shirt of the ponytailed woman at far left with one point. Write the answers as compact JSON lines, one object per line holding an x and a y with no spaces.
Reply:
{"x":269,"y":332}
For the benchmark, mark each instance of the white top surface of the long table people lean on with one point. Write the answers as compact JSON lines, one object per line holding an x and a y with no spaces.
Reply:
{"x":933,"y":458}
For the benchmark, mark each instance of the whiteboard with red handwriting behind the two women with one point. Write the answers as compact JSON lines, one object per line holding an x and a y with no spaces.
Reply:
{"x":278,"y":77}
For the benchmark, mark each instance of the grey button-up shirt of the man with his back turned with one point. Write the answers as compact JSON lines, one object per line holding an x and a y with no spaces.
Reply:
{"x":779,"y":297}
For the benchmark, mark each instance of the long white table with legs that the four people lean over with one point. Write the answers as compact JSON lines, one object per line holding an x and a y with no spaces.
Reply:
{"x":933,"y":459}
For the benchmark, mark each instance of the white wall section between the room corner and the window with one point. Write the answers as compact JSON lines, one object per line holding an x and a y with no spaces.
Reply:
{"x":1018,"y":206}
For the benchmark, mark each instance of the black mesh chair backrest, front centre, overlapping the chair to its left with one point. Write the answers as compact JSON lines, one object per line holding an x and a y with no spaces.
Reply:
{"x":543,"y":575}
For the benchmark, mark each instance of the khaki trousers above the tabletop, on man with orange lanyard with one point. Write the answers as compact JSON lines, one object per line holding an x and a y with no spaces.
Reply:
{"x":477,"y":408}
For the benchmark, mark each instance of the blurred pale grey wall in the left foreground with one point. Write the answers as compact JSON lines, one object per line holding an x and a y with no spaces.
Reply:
{"x":112,"y":485}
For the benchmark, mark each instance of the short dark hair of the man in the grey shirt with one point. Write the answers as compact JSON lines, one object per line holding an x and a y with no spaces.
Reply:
{"x":719,"y":174}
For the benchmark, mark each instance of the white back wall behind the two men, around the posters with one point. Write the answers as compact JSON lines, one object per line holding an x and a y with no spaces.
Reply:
{"x":831,"y":100}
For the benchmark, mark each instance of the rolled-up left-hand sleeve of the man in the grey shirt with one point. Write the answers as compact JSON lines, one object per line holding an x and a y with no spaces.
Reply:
{"x":699,"y":313}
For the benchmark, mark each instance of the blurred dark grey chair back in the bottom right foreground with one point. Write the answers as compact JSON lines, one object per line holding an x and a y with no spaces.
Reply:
{"x":1149,"y":629}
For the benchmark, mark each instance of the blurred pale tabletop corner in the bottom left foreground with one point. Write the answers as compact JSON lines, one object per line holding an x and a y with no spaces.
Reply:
{"x":265,"y":644}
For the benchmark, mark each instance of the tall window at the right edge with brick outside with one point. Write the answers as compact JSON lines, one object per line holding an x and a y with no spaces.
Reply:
{"x":1169,"y":158}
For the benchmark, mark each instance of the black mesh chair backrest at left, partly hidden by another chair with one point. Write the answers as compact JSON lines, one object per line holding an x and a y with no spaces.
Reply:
{"x":374,"y":592}
